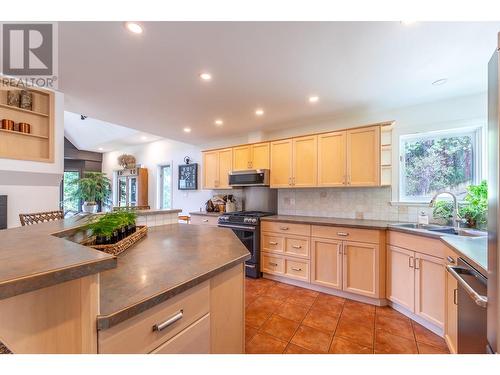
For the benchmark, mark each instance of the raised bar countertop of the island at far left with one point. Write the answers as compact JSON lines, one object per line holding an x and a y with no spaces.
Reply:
{"x":35,"y":257}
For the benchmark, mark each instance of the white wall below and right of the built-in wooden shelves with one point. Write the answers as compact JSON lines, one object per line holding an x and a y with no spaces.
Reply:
{"x":39,"y":194}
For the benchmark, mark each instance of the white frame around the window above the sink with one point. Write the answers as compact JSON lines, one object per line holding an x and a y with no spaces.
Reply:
{"x":477,"y":147}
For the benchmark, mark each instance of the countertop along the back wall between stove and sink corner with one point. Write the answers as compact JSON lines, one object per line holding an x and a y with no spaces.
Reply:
{"x":330,"y":221}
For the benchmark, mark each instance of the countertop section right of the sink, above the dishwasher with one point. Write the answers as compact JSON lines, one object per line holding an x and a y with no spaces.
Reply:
{"x":473,"y":249}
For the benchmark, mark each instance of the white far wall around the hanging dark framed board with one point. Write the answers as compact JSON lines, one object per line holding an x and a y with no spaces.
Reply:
{"x":153,"y":154}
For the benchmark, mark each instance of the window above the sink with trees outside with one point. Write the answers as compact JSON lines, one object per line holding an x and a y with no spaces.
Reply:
{"x":439,"y":161}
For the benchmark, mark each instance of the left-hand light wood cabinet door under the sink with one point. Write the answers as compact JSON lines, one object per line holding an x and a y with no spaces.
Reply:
{"x":401,"y":277}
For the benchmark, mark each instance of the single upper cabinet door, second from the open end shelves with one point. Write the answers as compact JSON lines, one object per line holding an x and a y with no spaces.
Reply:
{"x":332,"y":165}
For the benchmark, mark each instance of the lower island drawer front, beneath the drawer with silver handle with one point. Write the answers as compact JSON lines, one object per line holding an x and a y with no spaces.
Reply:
{"x":195,"y":339}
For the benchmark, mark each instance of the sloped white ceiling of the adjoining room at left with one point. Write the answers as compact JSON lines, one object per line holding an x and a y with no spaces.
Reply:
{"x":100,"y":136}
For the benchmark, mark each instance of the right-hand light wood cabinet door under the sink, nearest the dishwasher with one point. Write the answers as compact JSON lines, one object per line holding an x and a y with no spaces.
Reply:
{"x":430,"y":277}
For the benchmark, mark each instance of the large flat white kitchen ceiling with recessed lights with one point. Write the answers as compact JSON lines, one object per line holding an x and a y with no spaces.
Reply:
{"x":150,"y":82}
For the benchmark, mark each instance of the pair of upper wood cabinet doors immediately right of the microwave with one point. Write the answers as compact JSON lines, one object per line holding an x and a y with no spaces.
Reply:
{"x":294,"y":162}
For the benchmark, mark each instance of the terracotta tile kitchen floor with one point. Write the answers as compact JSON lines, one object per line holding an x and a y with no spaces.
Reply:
{"x":282,"y":318}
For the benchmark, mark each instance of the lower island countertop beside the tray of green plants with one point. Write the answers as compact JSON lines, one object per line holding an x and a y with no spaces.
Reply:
{"x":169,"y":260}
